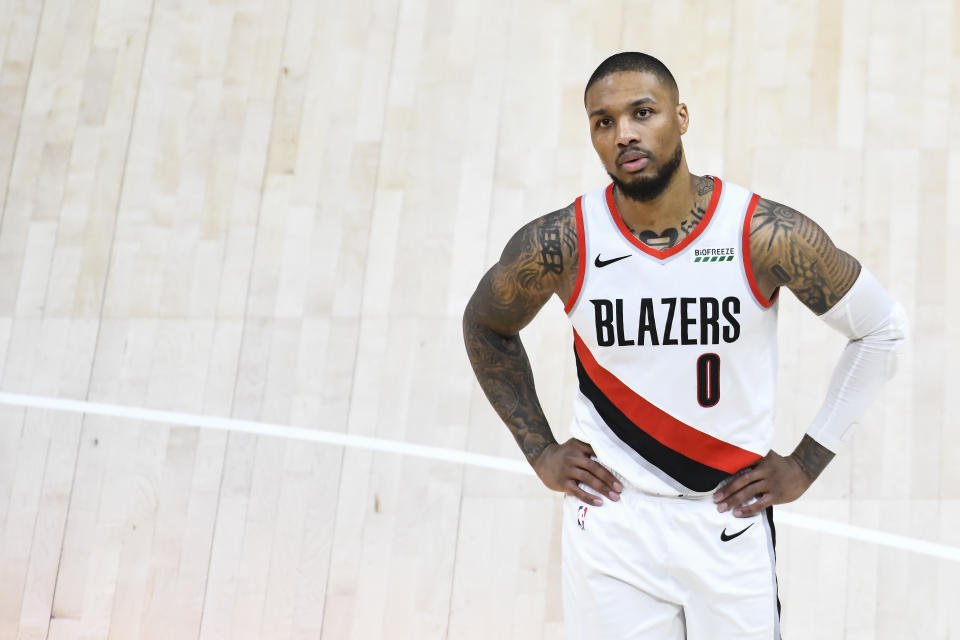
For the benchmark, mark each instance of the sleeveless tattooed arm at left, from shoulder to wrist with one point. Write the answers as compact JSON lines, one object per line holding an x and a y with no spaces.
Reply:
{"x":536,"y":263}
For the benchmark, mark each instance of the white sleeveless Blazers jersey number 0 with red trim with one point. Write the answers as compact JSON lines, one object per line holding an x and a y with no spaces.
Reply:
{"x":676,"y":349}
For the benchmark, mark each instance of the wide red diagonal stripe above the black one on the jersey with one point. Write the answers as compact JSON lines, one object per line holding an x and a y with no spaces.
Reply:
{"x":659,"y":424}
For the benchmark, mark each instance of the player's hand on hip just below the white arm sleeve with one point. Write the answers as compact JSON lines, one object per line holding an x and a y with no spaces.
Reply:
{"x":775,"y":479}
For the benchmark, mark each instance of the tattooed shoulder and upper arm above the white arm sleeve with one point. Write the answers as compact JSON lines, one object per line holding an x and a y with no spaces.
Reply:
{"x":788,"y":248}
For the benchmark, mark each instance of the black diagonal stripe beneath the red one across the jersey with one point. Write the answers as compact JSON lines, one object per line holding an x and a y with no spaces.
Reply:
{"x":694,"y":475}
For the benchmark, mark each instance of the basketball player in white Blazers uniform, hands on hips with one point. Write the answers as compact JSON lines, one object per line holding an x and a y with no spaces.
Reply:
{"x":670,"y":281}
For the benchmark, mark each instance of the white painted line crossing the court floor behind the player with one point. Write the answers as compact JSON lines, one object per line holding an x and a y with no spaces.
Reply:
{"x":434,"y":453}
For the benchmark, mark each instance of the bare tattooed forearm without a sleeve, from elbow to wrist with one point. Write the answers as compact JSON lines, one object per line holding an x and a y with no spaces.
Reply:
{"x":503,"y":370}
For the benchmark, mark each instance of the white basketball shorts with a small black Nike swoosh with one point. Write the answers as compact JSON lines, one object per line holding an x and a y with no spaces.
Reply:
{"x":663,"y":568}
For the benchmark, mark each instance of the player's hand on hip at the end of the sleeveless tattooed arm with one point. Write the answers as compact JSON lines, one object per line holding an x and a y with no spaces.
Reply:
{"x":562,"y":467}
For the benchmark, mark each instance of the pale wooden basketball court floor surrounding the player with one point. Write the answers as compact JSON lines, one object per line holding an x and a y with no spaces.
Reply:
{"x":264,"y":218}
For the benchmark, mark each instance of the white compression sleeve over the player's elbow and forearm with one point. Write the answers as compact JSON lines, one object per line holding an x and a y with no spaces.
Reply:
{"x":876,"y":326}
